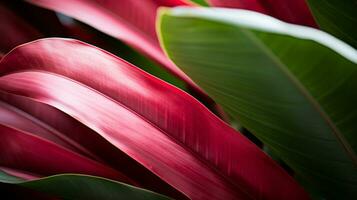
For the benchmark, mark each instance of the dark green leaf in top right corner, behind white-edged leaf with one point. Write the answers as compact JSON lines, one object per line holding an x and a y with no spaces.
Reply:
{"x":337,"y":17}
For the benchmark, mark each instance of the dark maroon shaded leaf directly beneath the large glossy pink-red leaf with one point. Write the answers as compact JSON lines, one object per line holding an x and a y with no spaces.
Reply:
{"x":52,"y":124}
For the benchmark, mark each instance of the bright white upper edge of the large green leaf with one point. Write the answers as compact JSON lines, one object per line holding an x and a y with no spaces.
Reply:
{"x":258,"y":21}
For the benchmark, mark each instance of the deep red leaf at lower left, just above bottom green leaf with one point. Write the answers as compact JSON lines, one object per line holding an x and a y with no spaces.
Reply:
{"x":23,"y":151}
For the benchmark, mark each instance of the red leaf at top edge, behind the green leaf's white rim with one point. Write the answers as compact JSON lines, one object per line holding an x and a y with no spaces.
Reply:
{"x":292,"y":11}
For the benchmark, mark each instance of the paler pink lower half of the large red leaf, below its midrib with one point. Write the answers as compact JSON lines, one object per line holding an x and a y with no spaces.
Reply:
{"x":127,"y":133}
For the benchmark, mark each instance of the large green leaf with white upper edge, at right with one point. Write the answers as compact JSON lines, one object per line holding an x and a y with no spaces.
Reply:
{"x":294,"y":87}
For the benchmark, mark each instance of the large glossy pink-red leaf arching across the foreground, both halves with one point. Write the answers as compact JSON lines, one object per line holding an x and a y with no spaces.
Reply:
{"x":161,"y":127}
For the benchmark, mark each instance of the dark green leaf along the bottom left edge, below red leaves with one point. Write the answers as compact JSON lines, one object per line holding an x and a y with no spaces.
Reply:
{"x":75,"y":186}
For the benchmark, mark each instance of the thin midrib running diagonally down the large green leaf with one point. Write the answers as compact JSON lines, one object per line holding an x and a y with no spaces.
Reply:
{"x":337,"y":133}
